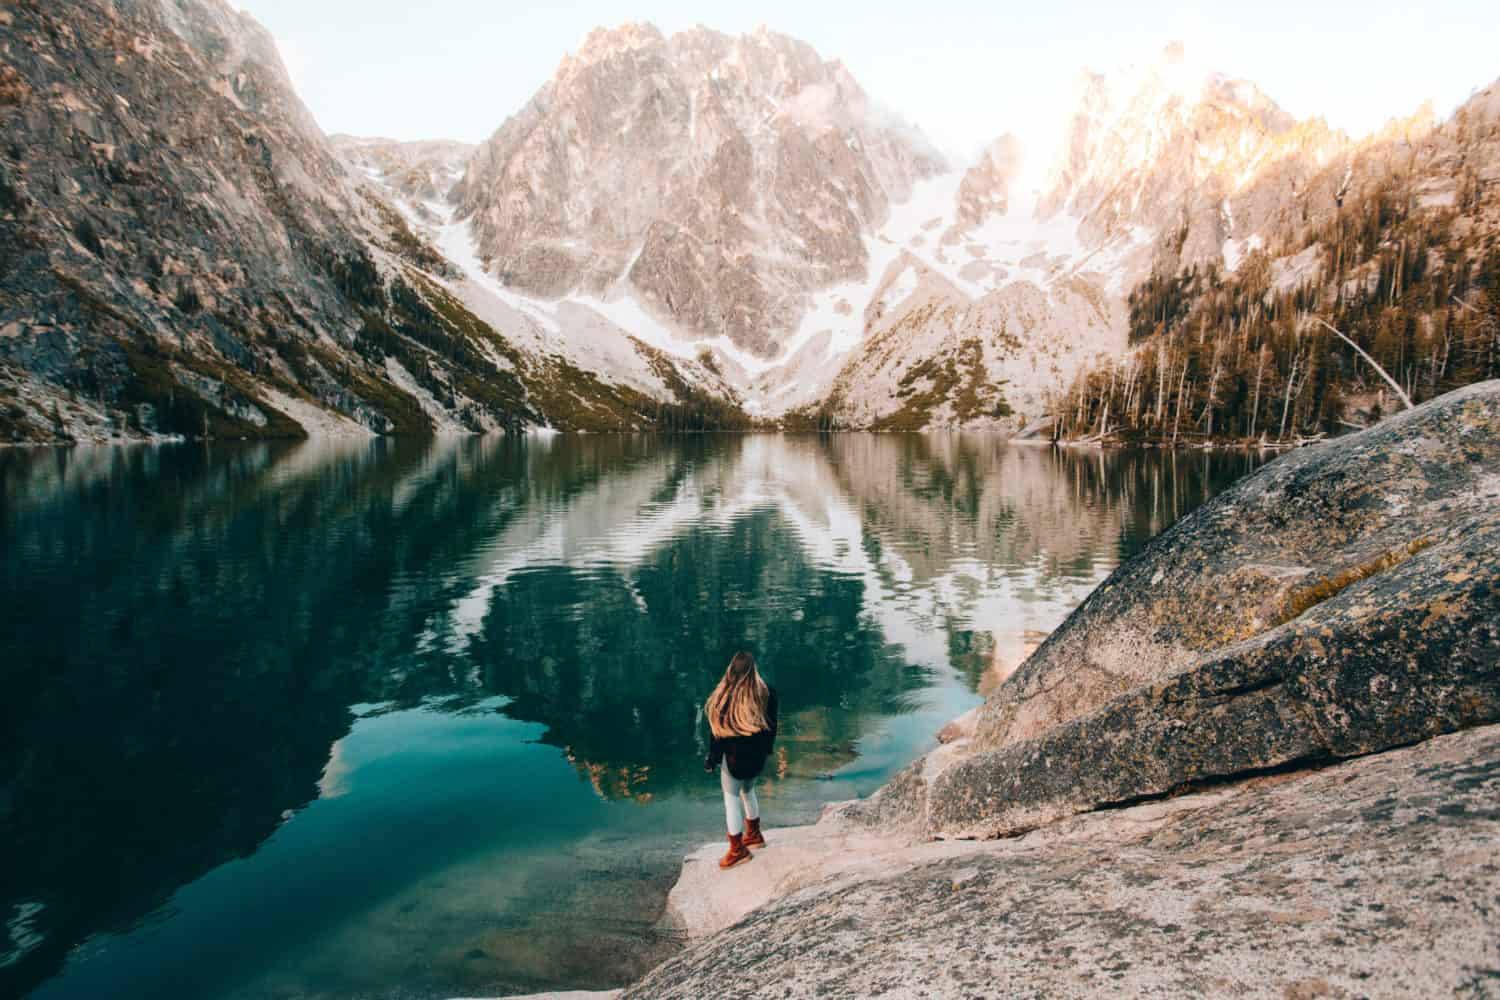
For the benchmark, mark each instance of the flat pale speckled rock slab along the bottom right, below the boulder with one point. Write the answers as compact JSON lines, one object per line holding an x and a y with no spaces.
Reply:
{"x":1375,"y":878}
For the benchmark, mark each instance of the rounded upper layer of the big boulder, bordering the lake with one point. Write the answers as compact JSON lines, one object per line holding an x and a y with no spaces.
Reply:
{"x":1249,"y":560}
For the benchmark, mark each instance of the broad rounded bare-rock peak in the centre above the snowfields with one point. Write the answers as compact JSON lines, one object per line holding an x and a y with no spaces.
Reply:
{"x":743,"y":173}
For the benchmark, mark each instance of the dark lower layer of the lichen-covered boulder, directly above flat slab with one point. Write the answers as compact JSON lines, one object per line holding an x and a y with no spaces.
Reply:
{"x":1402,"y":657}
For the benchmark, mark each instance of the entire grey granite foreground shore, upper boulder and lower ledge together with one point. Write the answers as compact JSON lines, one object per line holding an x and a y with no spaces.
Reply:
{"x":1261,"y":761}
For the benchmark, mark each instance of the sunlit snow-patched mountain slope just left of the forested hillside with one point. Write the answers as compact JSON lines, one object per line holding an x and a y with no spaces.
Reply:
{"x":1034,"y":290}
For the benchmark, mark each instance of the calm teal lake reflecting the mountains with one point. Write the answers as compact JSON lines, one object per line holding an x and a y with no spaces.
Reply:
{"x":419,"y":719}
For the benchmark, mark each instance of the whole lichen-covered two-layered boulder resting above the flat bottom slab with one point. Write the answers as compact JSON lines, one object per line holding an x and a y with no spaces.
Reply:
{"x":1343,"y":600}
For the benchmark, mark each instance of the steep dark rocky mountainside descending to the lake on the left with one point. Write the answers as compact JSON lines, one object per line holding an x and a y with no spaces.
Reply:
{"x":184,"y":253}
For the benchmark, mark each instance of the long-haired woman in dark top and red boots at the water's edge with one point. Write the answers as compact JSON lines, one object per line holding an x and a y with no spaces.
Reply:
{"x":742,"y":722}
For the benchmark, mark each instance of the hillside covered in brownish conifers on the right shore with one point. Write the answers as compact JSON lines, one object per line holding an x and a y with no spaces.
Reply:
{"x":1393,"y":242}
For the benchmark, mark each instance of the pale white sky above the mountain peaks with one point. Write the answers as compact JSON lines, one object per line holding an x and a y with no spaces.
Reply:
{"x":962,"y":71}
